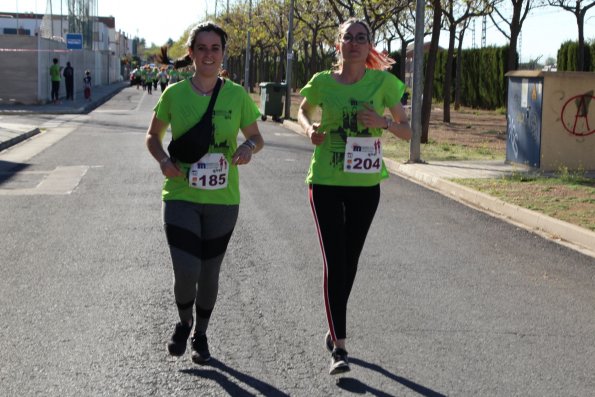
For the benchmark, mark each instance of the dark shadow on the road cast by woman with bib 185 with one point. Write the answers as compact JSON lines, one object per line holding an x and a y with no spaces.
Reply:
{"x":222,"y":378}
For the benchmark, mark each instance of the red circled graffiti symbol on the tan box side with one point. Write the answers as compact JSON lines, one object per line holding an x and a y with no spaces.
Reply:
{"x":575,"y":115}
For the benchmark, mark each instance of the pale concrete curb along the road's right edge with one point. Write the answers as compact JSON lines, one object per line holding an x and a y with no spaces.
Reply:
{"x":570,"y":235}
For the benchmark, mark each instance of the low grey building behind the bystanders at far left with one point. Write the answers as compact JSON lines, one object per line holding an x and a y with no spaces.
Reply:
{"x":29,"y":42}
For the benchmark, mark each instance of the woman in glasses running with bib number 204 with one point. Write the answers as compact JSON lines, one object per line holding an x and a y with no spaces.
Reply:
{"x":347,"y":167}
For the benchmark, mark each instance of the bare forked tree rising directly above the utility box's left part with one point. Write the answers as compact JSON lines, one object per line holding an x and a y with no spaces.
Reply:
{"x":520,"y":10}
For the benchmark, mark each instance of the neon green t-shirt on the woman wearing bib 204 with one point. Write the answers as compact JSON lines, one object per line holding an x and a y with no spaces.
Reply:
{"x":340,"y":104}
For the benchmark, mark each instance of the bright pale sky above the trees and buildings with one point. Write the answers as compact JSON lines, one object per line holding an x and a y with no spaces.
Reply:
{"x":543,"y":31}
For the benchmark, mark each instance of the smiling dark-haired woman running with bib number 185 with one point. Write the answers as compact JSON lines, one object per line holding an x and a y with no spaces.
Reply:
{"x":201,"y":199}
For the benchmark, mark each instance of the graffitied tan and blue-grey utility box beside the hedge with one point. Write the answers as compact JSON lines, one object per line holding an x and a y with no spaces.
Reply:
{"x":551,"y":119}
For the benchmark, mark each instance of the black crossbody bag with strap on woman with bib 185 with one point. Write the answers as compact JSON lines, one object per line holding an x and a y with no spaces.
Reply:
{"x":194,"y":143}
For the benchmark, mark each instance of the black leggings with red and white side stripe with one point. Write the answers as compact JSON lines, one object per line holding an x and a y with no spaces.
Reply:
{"x":343,"y":215}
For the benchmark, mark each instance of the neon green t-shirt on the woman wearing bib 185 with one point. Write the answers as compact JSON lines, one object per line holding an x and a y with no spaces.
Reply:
{"x":182,"y":108}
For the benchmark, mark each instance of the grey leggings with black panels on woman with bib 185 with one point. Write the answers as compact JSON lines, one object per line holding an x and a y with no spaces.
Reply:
{"x":197,"y":235}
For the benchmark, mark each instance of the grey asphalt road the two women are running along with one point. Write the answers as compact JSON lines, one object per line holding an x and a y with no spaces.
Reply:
{"x":448,"y":301}
